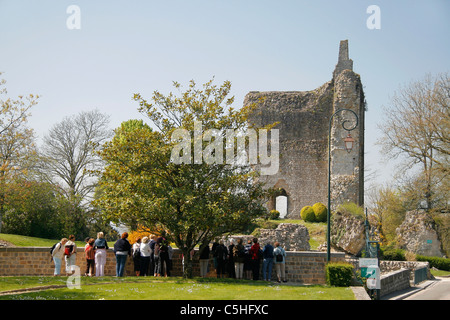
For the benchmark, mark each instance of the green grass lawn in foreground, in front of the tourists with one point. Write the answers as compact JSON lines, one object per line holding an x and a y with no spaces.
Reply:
{"x":174,"y":288}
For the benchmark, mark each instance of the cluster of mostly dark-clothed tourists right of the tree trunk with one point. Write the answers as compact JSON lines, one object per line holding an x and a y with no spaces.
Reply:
{"x":244,"y":261}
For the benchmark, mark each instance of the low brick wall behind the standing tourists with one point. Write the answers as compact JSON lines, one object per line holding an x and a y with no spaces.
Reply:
{"x":303,"y":267}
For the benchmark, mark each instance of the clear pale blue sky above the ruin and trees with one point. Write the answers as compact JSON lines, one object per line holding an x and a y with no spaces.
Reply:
{"x":125,"y":47}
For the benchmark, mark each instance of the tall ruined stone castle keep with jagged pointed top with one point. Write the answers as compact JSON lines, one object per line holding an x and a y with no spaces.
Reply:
{"x":304,"y":118}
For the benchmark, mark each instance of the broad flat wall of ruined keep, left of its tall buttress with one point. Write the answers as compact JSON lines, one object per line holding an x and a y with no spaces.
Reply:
{"x":303,"y":118}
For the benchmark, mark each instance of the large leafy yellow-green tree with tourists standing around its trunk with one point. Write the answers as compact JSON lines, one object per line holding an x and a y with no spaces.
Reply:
{"x":192,"y":202}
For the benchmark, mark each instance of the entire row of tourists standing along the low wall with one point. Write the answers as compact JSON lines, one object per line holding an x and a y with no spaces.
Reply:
{"x":152,"y":255}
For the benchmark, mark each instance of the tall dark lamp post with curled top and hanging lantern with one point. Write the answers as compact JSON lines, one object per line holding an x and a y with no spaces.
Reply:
{"x":348,"y":147}
